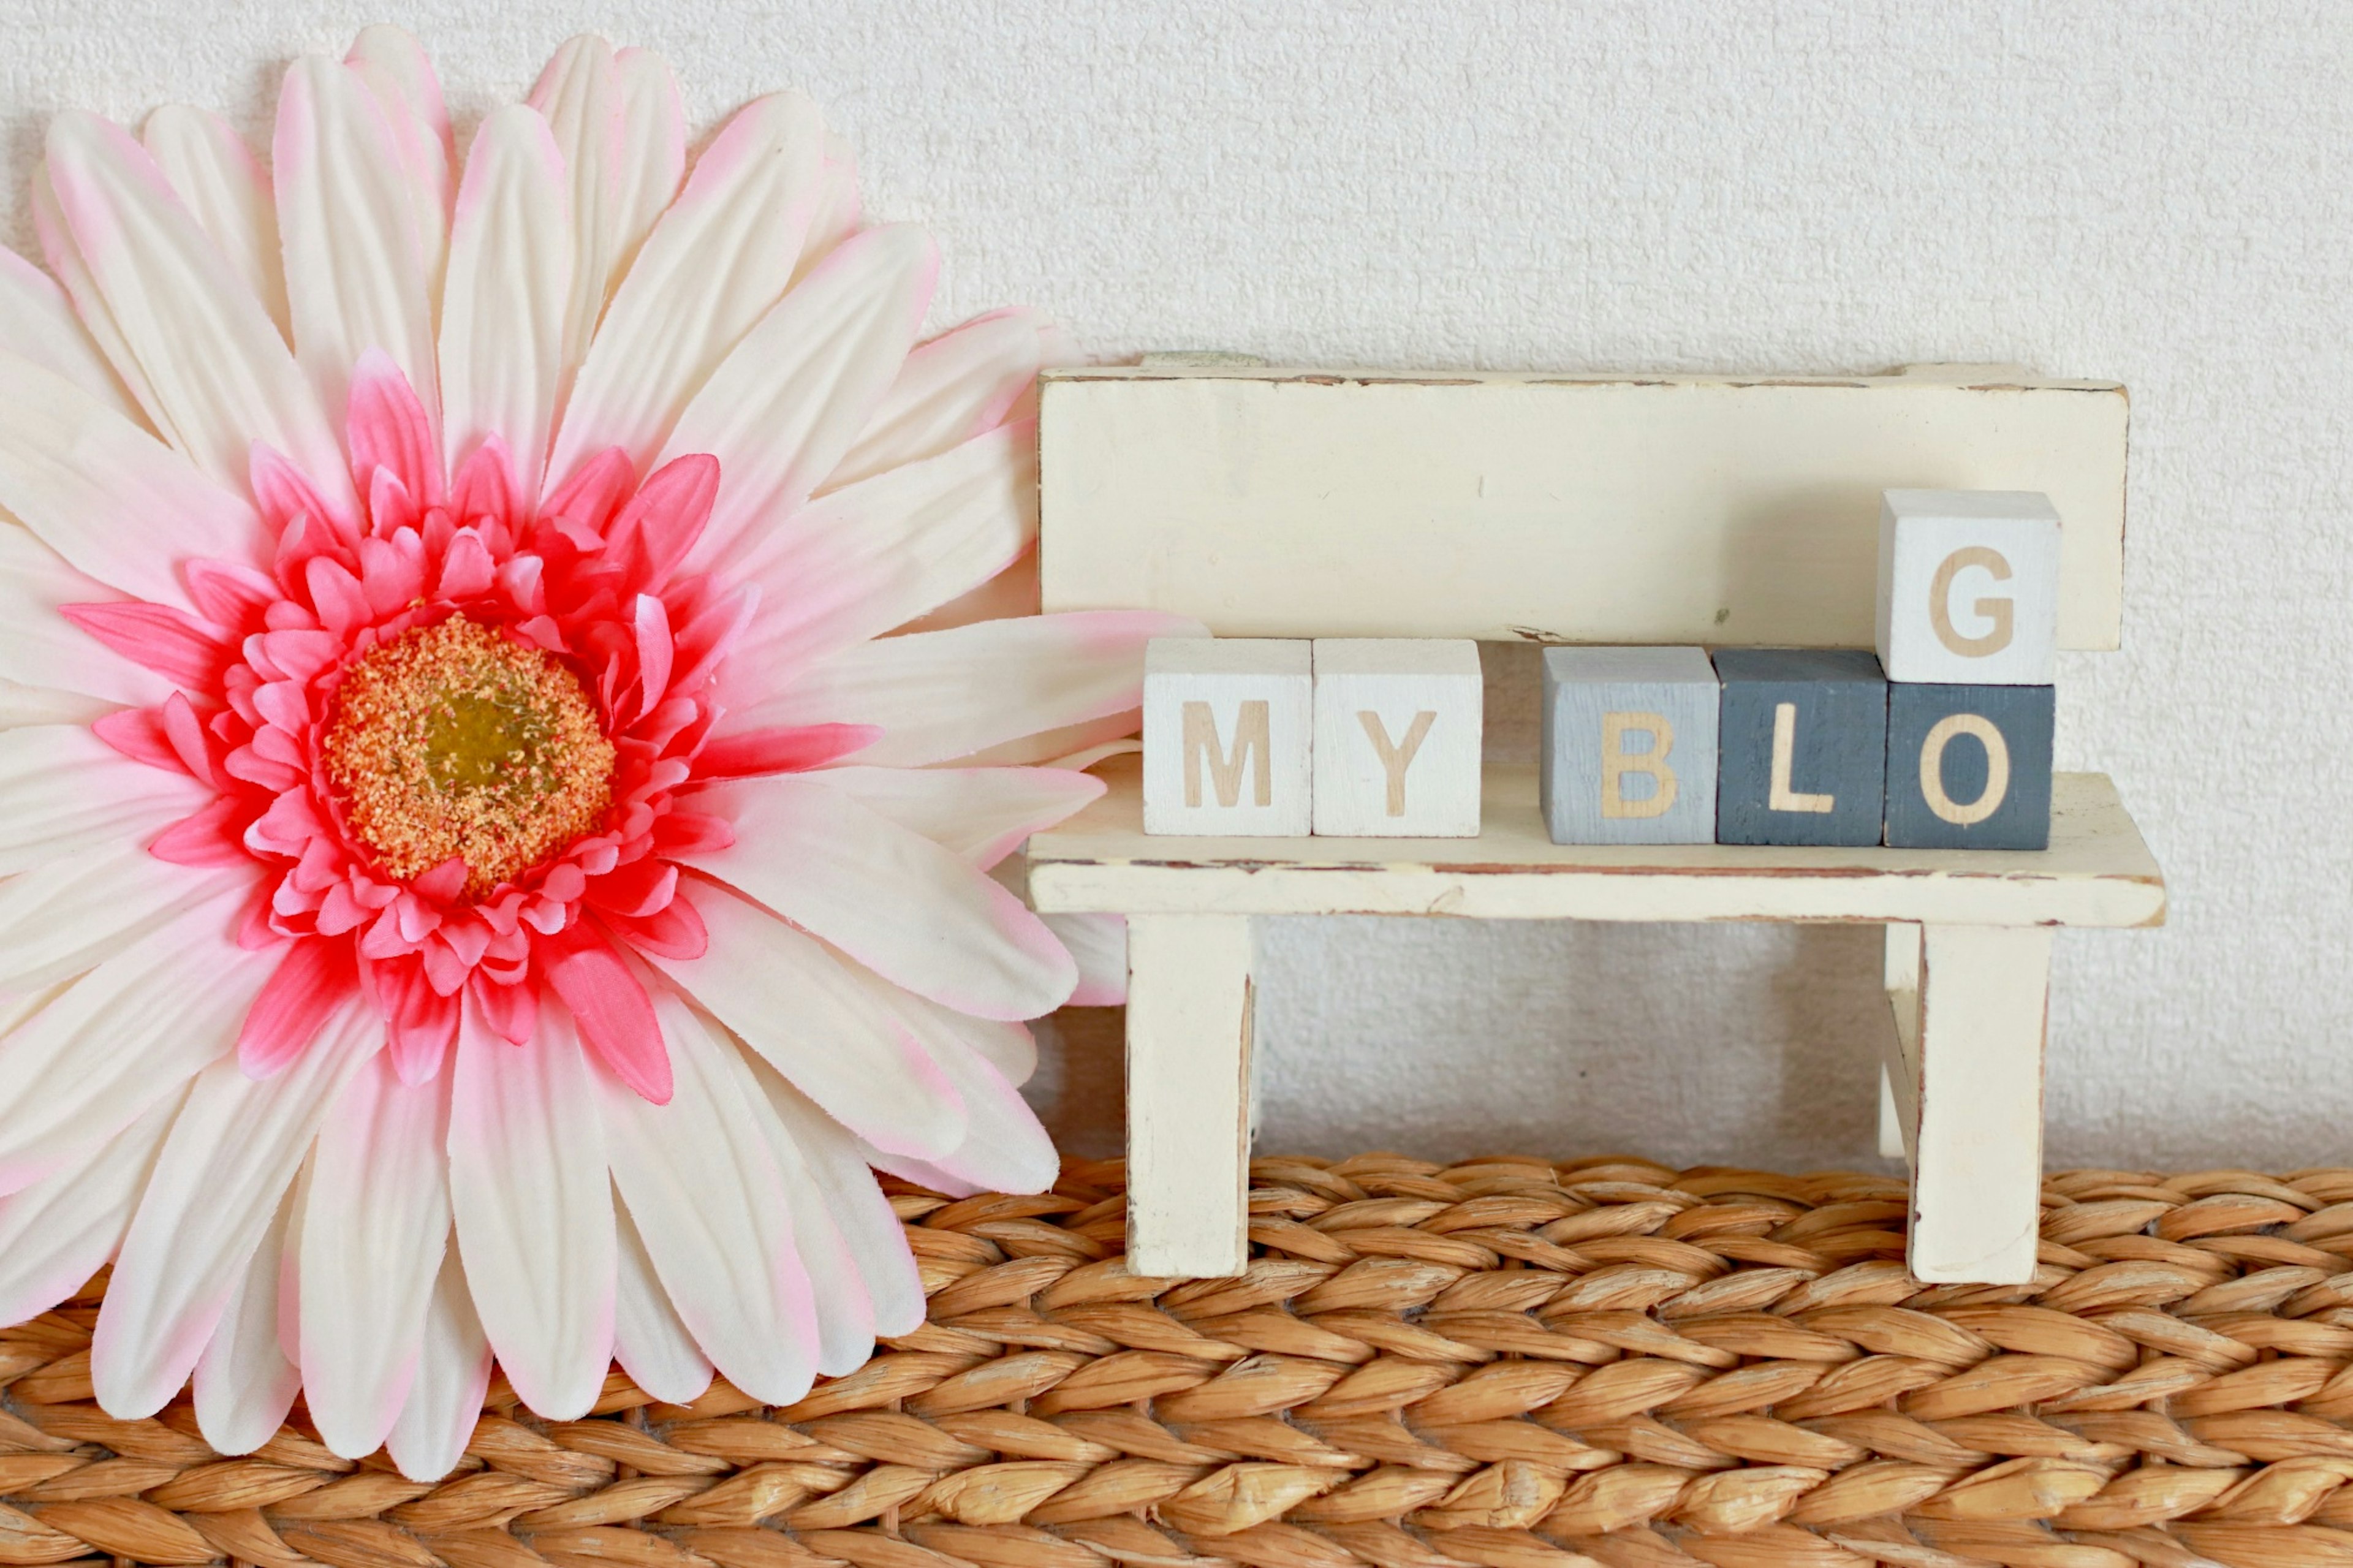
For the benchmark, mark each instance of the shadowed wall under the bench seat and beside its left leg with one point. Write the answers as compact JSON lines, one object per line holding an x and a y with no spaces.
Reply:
{"x":1554,"y":1044}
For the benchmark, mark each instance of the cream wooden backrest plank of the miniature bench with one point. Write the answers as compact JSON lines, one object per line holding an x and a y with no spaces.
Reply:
{"x":1545,"y":507}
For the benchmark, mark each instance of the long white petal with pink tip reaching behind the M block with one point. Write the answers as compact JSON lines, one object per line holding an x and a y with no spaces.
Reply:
{"x":952,"y":693}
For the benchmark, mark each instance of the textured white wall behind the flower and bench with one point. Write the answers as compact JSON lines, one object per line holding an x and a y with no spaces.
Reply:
{"x":2154,"y":192}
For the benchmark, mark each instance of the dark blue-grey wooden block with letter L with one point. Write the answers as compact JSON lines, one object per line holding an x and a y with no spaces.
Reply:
{"x":1804,"y":745}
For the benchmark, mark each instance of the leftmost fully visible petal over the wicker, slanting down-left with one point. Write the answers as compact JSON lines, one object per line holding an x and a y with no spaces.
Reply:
{"x":218,"y":1183}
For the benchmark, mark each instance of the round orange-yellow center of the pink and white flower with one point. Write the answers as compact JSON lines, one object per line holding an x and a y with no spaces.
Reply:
{"x":458,"y":743}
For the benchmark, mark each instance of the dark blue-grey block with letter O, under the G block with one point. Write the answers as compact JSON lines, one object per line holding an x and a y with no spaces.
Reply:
{"x":1971,"y":766}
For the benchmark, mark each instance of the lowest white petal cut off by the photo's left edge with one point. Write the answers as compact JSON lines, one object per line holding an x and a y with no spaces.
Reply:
{"x":58,"y":1233}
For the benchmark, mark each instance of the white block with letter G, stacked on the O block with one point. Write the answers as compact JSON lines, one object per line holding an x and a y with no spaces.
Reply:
{"x":1968,"y":587}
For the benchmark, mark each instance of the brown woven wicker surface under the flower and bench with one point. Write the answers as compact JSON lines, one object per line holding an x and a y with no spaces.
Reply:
{"x":1505,"y":1362}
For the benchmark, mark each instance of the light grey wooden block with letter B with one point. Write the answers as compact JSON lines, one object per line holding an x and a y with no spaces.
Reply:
{"x":1629,"y":745}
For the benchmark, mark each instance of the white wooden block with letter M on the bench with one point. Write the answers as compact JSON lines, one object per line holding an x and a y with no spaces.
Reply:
{"x":1227,"y":736}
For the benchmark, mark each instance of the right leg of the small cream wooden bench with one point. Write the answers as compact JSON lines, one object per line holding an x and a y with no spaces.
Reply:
{"x":1966,"y":1077}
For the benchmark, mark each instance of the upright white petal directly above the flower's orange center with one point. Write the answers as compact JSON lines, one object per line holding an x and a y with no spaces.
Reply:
{"x":505,"y":305}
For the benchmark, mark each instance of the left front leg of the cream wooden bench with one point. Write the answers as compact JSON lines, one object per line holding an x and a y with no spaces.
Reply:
{"x":1187,"y":1096}
